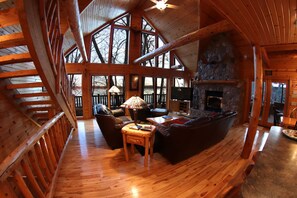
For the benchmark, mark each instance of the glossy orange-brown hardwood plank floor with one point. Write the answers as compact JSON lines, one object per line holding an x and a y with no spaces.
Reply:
{"x":91,"y":169}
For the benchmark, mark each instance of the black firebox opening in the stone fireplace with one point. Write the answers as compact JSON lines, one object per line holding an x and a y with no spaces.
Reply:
{"x":213,"y":100}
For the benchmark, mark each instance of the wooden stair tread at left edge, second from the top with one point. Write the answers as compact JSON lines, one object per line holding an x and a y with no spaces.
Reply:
{"x":12,"y":40}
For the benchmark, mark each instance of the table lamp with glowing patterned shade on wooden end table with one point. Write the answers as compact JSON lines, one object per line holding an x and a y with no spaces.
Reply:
{"x":135,"y":103}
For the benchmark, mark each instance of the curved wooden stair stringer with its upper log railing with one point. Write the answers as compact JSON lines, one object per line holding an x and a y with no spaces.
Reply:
{"x":40,"y":22}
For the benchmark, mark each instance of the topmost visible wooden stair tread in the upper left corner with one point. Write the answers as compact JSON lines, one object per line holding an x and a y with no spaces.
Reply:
{"x":8,"y":17}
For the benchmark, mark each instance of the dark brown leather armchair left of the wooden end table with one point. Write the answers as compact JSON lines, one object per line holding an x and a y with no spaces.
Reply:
{"x":111,"y":126}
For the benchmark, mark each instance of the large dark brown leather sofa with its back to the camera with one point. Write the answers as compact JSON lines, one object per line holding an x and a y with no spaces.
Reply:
{"x":178,"y":142}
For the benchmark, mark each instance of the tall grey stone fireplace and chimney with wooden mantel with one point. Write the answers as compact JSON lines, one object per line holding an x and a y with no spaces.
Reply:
{"x":217,"y":87}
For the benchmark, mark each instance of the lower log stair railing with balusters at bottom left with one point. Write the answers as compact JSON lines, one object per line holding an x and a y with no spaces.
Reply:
{"x":30,"y":170}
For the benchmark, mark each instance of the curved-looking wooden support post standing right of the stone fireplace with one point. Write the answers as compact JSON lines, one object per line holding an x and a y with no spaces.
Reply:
{"x":258,"y":78}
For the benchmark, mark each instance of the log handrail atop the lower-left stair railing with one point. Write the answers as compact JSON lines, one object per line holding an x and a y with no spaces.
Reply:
{"x":7,"y":165}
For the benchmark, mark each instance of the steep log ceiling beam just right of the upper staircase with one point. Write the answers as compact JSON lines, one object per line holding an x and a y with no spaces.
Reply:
{"x":75,"y":25}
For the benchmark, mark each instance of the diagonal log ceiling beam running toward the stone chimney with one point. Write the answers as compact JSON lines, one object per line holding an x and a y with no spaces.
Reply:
{"x":208,"y":31}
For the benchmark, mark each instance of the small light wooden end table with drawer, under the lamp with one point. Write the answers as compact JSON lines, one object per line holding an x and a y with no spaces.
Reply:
{"x":140,"y":137}
